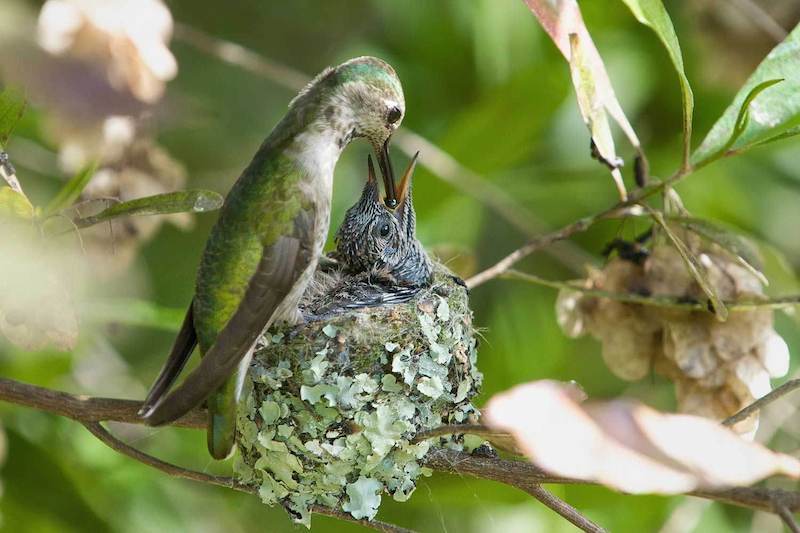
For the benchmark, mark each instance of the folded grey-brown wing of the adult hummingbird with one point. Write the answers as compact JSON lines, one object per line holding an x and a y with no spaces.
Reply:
{"x":279,"y":275}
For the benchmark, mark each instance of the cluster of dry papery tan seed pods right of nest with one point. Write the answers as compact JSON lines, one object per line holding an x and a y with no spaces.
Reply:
{"x":718,"y":367}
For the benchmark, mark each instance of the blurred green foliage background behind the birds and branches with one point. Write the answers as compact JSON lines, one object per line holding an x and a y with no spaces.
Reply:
{"x":482,"y":82}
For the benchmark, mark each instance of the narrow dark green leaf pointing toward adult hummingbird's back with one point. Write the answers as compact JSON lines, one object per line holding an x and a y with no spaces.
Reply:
{"x":196,"y":201}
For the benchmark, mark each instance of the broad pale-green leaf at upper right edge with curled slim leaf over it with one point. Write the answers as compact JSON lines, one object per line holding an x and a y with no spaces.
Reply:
{"x":750,"y":121}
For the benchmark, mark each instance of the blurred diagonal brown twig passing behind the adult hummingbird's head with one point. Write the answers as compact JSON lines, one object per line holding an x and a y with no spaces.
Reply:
{"x":435,"y":159}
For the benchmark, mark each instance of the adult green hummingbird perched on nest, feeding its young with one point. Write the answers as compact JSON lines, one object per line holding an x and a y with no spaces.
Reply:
{"x":264,"y":248}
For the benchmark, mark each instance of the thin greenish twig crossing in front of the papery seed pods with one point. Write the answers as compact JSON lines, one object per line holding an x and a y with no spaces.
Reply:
{"x":673,"y":302}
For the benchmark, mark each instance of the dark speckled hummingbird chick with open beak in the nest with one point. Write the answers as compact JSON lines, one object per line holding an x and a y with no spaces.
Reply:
{"x":380,"y":261}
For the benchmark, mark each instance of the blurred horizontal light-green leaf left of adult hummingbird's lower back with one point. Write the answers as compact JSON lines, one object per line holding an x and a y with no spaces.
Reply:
{"x":133,"y":312}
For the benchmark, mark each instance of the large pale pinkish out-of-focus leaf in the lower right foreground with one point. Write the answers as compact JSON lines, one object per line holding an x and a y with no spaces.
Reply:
{"x":628,"y":446}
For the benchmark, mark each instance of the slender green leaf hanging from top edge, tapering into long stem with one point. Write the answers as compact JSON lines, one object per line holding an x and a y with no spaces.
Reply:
{"x":651,"y":13}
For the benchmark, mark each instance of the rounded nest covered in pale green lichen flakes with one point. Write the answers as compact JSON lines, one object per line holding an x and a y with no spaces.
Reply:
{"x":331,"y":407}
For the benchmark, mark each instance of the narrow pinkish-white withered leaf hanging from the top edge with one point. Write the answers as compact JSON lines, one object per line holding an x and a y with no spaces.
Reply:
{"x":563,"y":22}
